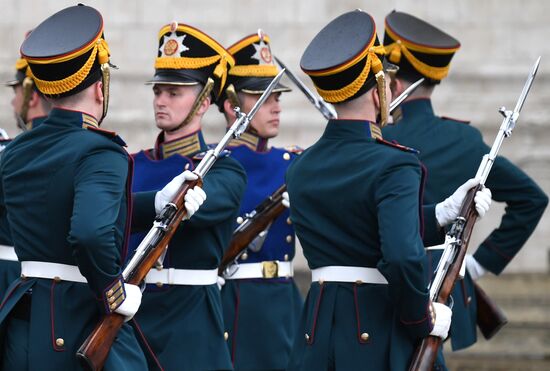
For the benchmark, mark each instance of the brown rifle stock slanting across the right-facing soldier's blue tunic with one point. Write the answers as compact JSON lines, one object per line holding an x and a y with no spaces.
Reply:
{"x":263,"y":215}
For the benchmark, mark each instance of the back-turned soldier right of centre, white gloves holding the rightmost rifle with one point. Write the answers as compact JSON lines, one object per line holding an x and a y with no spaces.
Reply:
{"x":355,"y":204}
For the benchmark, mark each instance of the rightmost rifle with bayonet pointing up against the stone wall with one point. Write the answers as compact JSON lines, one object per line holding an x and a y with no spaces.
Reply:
{"x":451,"y":265}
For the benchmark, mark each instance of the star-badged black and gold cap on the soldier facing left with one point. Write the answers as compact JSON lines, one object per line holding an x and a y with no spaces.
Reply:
{"x":188,"y":56}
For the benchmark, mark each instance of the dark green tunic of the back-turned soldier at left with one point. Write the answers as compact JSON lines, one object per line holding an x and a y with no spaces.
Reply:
{"x":65,"y":192}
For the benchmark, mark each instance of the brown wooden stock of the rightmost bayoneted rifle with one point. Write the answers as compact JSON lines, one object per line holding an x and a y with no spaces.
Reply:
{"x":426,"y":351}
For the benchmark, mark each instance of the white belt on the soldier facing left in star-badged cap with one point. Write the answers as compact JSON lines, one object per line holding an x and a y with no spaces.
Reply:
{"x":172,"y":276}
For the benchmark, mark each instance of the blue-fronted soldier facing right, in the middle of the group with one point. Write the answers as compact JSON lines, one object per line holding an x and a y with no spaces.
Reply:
{"x":261,"y":310}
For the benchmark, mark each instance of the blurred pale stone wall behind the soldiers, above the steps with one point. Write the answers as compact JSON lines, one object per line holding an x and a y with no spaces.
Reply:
{"x":500,"y":40}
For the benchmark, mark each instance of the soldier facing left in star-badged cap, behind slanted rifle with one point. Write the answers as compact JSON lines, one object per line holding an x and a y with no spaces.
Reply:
{"x":181,"y":317}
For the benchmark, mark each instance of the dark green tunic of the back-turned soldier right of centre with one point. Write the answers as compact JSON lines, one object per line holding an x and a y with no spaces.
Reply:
{"x":354,"y":201}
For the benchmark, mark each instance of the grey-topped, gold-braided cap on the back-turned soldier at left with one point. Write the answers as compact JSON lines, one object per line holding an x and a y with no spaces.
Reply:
{"x":65,"y":52}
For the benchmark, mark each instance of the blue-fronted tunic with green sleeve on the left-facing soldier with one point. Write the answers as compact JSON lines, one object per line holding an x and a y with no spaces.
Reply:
{"x":181,"y":326}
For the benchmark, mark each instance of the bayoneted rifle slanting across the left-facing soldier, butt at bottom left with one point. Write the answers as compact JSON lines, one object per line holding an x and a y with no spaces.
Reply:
{"x":95,"y":349}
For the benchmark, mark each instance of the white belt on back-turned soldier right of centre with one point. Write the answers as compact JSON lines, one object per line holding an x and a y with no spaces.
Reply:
{"x":335,"y":273}
